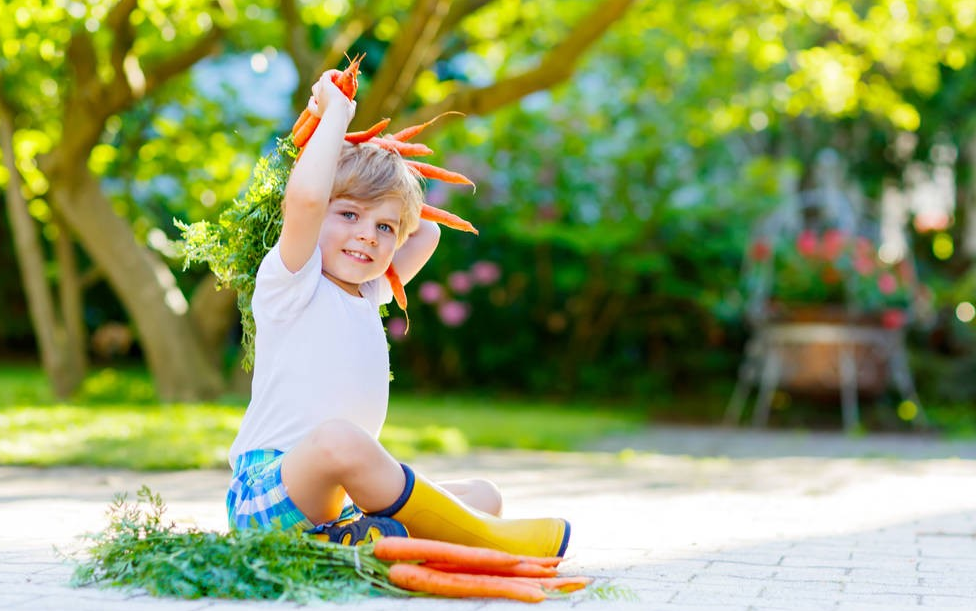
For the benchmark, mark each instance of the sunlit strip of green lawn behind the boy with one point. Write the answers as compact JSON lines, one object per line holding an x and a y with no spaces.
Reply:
{"x":116,"y":422}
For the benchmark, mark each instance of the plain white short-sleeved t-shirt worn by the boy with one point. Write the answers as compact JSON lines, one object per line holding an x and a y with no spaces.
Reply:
{"x":320,"y":354}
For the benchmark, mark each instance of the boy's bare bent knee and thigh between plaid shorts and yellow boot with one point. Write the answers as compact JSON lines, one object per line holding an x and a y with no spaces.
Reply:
{"x":335,"y":458}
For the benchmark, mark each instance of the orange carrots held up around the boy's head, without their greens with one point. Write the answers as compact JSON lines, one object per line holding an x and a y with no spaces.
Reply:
{"x":347,"y":81}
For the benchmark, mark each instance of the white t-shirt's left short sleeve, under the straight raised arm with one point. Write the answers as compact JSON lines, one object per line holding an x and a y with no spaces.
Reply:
{"x":281,"y":294}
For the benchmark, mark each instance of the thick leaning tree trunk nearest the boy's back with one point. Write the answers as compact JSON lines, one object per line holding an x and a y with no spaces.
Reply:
{"x":145,"y":285}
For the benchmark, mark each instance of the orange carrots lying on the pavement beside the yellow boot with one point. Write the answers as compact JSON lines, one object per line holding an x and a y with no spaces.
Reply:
{"x":461,"y":571}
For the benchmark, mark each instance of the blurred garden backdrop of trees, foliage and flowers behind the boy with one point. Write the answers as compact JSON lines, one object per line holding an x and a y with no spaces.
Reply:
{"x":629,"y":156}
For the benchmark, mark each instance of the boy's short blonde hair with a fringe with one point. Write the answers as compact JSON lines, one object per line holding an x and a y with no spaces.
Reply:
{"x":366,"y":172}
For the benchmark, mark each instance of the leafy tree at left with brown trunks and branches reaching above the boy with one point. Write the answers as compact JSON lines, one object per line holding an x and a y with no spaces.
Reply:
{"x":75,"y":75}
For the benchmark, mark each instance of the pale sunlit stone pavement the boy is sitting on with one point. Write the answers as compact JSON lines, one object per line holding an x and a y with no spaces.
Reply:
{"x":685,"y":519}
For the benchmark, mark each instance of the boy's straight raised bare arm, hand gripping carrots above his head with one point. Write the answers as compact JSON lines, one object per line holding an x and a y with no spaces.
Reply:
{"x":310,"y":184}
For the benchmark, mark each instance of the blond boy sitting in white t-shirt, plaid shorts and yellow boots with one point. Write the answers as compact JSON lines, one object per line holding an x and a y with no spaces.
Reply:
{"x":308,"y":440}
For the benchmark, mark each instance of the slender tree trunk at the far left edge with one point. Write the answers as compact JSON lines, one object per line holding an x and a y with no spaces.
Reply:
{"x":62,"y":360}
